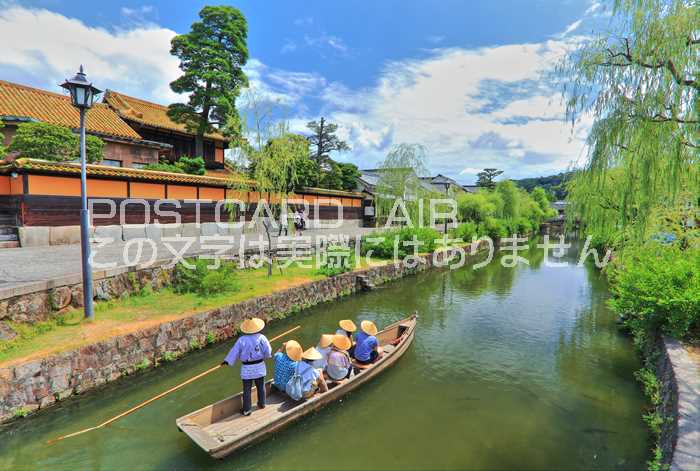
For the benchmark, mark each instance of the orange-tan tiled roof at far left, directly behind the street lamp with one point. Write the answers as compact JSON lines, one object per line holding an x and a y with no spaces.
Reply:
{"x":25,"y":102}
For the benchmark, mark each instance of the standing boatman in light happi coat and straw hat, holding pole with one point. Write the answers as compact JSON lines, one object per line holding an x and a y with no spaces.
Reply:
{"x":252,"y":349}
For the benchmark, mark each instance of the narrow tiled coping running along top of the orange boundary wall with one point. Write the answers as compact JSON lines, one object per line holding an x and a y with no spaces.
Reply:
{"x":120,"y":172}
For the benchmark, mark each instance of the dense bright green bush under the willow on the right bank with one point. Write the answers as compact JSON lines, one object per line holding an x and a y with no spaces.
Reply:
{"x":657,"y":288}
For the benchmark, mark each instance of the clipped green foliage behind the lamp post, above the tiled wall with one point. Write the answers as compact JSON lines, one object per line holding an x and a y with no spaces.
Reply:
{"x":56,"y":143}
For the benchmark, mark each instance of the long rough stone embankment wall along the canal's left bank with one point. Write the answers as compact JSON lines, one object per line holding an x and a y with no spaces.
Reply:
{"x":37,"y":384}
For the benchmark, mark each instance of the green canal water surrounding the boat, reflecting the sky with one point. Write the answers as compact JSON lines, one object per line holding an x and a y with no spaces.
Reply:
{"x":511,"y":368}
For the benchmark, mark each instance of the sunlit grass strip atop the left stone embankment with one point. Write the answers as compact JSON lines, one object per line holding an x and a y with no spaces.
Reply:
{"x":121,"y":316}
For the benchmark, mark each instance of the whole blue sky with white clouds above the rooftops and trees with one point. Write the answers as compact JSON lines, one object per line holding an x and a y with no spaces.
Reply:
{"x":467,"y":79}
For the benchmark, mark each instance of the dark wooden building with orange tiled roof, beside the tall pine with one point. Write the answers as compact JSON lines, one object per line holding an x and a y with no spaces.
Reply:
{"x":151,"y":121}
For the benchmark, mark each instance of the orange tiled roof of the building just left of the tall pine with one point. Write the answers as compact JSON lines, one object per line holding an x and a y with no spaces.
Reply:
{"x":147,"y":113}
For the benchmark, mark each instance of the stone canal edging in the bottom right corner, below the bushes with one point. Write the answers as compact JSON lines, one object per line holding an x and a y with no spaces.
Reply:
{"x":679,"y":374}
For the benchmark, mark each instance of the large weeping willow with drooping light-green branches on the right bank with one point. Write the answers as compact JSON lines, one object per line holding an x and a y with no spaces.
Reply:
{"x":640,"y":83}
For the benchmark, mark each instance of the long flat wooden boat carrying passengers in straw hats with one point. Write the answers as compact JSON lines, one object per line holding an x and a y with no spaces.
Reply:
{"x":220,"y":428}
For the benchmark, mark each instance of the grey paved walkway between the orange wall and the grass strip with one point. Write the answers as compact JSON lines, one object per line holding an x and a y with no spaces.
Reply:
{"x":25,"y":267}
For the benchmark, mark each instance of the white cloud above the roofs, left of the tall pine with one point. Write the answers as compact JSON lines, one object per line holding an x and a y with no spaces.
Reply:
{"x":48,"y":47}
